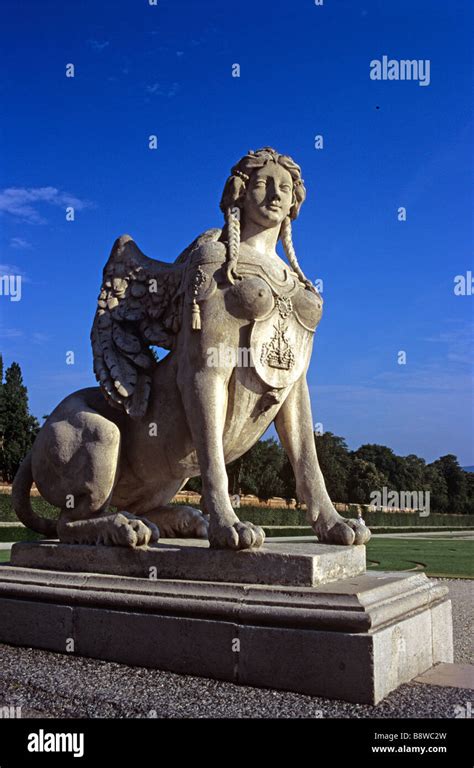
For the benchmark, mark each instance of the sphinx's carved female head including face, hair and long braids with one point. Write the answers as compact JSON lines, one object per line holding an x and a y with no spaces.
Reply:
{"x":266,"y":187}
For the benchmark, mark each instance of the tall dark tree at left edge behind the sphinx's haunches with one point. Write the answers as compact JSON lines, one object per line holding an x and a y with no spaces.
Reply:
{"x":19,"y":427}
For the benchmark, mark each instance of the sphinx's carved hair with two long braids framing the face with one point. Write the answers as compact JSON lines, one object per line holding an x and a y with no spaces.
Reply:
{"x":232,"y":202}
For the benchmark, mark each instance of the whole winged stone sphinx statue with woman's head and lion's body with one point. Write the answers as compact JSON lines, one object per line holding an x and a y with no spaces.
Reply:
{"x":113,"y":457}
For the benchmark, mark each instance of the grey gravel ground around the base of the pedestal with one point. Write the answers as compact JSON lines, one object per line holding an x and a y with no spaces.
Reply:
{"x":48,"y":684}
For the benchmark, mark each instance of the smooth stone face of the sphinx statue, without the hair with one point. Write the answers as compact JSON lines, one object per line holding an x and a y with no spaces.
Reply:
{"x":269,"y":195}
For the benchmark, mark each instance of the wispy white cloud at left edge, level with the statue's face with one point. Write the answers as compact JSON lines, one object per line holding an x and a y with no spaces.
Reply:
{"x":23,"y":202}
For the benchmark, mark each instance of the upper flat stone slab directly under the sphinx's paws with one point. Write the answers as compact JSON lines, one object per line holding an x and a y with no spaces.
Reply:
{"x":307,"y":565}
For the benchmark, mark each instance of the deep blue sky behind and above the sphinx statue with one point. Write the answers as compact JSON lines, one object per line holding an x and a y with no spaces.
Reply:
{"x":167,"y":70}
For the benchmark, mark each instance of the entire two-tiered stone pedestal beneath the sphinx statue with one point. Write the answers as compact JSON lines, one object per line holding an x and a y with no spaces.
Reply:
{"x":356,"y":639}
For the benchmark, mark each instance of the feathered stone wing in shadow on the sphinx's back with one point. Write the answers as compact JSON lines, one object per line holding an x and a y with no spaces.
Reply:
{"x":140,"y":304}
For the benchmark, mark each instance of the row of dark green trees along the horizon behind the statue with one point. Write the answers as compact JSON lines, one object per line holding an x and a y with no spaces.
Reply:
{"x":351,"y":476}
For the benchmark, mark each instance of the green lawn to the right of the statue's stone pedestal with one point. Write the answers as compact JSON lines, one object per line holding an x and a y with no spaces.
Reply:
{"x":448,"y":558}
